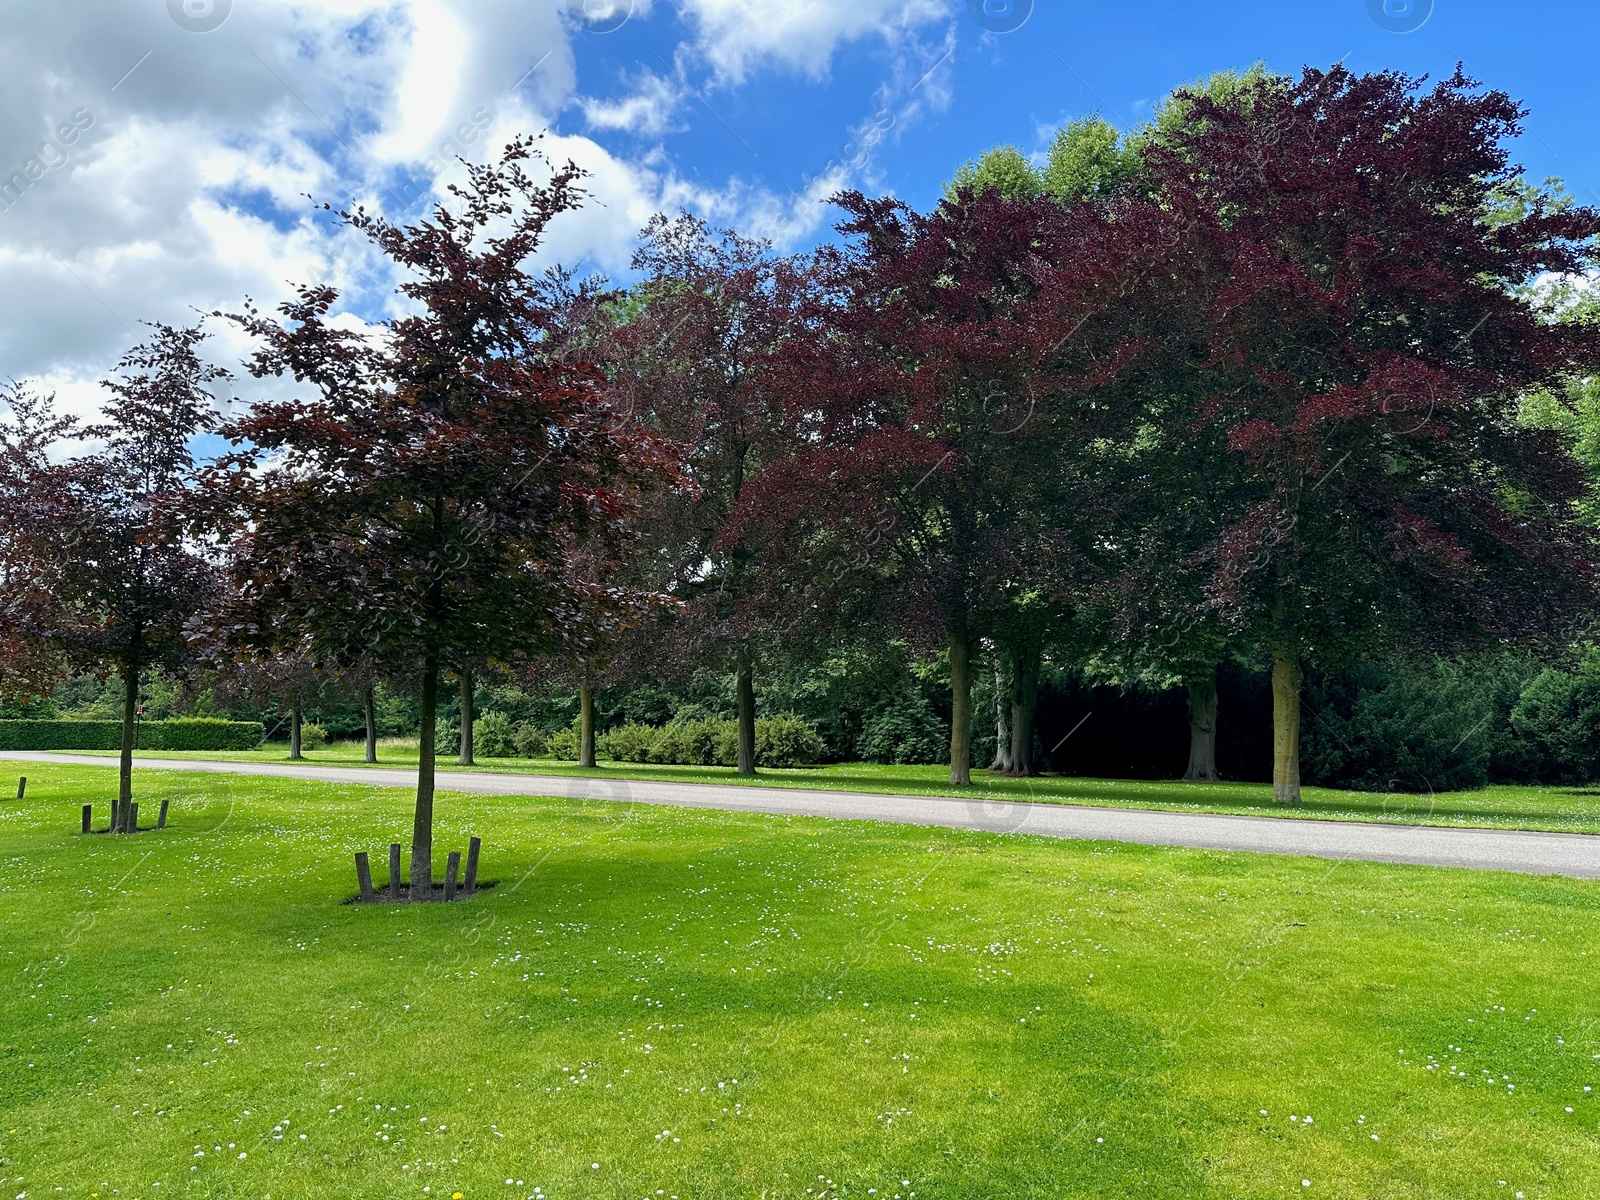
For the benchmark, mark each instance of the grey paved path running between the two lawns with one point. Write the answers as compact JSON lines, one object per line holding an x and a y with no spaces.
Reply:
{"x":1575,"y":855}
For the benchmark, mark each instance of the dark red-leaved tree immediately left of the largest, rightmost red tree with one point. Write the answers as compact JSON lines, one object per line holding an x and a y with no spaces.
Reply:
{"x":943,"y":410}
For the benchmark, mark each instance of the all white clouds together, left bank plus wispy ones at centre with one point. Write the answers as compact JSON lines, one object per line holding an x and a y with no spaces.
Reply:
{"x":182,"y":182}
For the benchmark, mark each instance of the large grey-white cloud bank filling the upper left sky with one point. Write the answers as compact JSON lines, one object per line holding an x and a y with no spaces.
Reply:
{"x":185,"y":186}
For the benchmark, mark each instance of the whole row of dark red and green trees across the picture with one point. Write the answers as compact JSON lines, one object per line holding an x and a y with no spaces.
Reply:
{"x":1252,"y":380}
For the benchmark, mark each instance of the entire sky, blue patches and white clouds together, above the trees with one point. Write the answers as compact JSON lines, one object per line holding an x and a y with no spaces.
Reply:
{"x":206,"y":124}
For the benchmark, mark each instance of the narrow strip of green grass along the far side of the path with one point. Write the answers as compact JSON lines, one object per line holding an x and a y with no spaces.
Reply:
{"x":1569,"y":810}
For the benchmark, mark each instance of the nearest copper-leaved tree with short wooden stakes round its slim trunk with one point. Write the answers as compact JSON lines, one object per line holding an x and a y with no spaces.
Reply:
{"x":418,"y":502}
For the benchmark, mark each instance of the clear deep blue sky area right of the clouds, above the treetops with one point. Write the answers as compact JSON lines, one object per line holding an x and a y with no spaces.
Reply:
{"x":1070,"y":60}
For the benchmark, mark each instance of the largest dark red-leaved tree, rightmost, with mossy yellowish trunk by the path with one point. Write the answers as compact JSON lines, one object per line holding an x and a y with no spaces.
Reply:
{"x":1358,"y":342}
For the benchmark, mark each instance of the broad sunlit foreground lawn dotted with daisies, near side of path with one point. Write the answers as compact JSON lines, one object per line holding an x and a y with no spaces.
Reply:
{"x":662,"y":1002}
